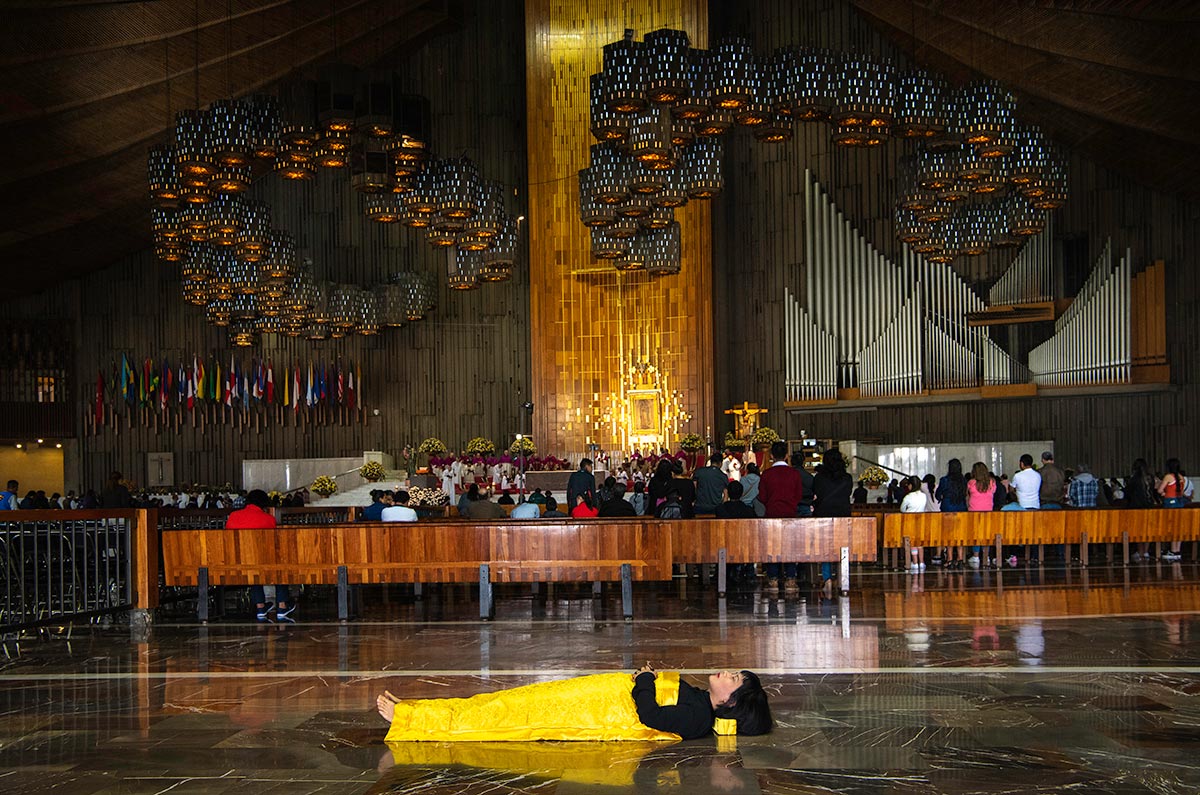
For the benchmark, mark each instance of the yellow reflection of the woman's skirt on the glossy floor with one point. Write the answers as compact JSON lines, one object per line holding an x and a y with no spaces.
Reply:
{"x":610,"y":764}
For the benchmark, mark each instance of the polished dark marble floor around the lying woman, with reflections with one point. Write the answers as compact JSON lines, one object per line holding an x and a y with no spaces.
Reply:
{"x":1019,"y":682}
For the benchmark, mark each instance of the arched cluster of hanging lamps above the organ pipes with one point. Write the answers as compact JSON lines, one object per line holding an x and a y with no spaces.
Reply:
{"x":979,"y":180}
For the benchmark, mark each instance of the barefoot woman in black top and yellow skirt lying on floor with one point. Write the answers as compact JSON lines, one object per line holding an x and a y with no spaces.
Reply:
{"x":602,"y":707}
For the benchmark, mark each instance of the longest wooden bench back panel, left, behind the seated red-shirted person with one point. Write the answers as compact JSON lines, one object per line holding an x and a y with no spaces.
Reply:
{"x":419,"y":553}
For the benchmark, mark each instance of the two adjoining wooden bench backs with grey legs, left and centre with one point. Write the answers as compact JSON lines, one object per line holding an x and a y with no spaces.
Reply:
{"x":505,"y":552}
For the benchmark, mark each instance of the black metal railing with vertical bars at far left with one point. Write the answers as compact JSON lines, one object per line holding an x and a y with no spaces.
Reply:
{"x":63,"y":566}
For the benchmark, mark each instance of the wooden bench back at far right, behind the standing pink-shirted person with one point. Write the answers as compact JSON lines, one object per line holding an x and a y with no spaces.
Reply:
{"x":1102,"y":525}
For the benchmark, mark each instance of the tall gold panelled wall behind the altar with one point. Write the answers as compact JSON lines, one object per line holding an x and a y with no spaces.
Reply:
{"x":591,"y":325}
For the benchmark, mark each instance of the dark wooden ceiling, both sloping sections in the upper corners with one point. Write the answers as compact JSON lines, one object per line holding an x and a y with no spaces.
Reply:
{"x":87,"y":87}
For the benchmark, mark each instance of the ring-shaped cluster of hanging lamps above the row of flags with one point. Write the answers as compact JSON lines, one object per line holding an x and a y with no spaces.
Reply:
{"x":247,"y":273}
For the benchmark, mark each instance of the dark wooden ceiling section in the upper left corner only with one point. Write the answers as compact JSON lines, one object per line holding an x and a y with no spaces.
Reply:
{"x":87,"y":87}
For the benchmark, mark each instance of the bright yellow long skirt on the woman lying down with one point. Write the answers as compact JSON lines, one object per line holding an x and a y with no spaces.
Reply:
{"x":586,"y":708}
